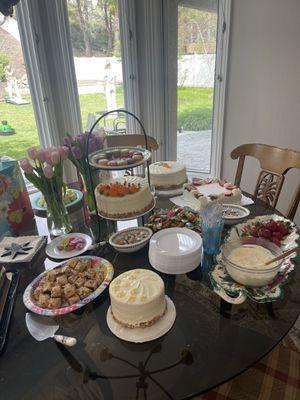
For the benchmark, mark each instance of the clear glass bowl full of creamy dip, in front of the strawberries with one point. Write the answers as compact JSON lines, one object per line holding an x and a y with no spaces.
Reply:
{"x":251,"y":271}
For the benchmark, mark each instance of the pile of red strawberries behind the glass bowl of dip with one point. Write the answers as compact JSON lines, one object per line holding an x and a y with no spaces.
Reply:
{"x":275,"y":231}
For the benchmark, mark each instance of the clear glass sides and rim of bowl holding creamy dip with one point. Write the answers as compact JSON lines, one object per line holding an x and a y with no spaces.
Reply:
{"x":258,"y":276}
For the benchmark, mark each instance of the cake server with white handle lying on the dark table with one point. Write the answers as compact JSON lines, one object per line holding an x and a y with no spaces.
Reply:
{"x":42,"y":328}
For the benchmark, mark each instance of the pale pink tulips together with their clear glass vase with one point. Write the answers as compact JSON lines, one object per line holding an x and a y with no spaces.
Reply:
{"x":44,"y":169}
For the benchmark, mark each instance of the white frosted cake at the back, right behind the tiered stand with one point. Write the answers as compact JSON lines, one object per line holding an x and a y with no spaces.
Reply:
{"x":167,"y":175}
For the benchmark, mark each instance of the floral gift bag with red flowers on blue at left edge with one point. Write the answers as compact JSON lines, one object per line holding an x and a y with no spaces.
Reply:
{"x":15,"y":207}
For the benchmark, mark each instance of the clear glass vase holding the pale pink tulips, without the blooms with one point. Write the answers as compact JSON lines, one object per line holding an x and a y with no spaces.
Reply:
{"x":58,"y":221}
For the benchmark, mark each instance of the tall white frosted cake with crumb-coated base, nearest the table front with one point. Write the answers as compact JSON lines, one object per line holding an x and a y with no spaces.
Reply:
{"x":137,"y":298}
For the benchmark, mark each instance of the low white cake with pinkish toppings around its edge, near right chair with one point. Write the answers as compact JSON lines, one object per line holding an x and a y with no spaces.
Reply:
{"x":203,"y":191}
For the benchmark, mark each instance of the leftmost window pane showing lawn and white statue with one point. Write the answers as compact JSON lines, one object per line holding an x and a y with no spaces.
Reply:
{"x":17,"y":122}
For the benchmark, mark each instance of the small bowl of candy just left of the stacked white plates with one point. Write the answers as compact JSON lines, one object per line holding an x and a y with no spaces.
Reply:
{"x":130,"y":240}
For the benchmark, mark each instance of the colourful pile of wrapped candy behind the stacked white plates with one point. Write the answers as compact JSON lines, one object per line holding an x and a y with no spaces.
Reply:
{"x":176,"y":217}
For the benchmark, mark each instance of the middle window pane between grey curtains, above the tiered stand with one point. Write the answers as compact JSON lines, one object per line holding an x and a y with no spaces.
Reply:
{"x":95,"y":38}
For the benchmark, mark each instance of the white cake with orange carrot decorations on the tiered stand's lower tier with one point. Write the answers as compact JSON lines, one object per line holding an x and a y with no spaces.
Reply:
{"x":124,"y":197}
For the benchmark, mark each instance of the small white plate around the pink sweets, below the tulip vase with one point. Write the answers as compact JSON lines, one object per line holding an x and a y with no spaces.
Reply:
{"x":53,"y":248}
